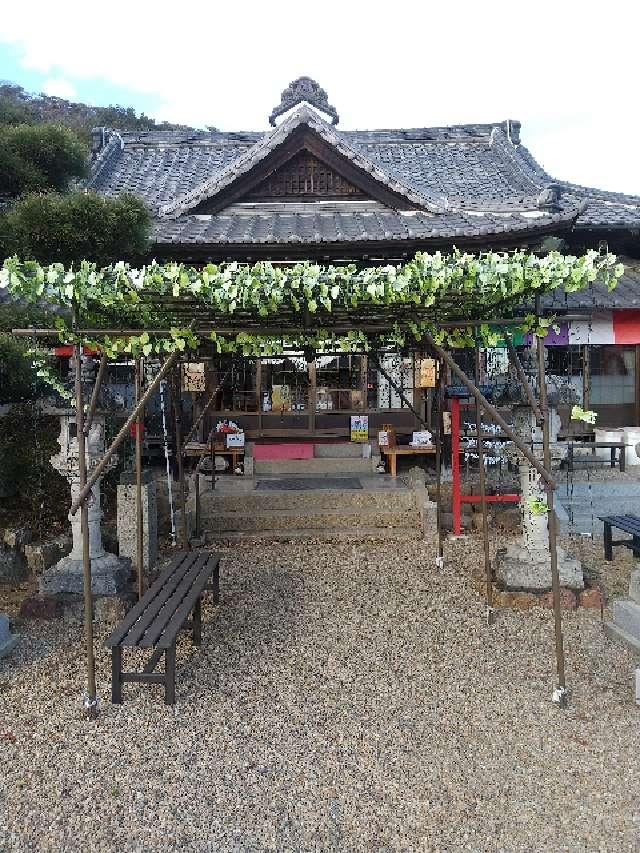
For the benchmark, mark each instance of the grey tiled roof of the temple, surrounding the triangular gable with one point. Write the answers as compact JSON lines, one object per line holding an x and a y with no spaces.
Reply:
{"x":465,"y":181}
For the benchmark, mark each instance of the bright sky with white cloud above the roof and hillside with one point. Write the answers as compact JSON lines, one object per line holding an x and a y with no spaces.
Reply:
{"x":568,"y":70}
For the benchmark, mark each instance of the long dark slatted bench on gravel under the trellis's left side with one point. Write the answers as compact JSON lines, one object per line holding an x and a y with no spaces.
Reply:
{"x":163,"y":611}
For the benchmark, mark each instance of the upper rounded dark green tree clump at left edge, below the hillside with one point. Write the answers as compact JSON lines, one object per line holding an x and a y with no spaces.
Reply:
{"x":39,"y":157}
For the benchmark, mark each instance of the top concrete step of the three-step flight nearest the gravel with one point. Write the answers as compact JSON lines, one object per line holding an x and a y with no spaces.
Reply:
{"x":318,"y":499}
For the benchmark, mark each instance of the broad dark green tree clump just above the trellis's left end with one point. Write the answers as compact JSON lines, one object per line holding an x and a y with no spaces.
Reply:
{"x":68,"y":228}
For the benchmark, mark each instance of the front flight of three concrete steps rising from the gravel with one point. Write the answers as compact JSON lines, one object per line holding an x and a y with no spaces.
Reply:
{"x":327,"y":514}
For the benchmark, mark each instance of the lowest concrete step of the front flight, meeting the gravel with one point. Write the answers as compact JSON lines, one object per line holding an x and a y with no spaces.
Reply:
{"x":336,"y":534}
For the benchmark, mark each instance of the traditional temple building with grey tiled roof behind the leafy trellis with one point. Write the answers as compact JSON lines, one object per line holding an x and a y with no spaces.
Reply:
{"x":303,"y":189}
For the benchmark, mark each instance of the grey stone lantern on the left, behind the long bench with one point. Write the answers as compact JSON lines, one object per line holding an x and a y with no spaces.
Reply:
{"x":109,"y":573}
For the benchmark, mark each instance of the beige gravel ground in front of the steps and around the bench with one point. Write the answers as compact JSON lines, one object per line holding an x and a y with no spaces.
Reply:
{"x":344,"y":699}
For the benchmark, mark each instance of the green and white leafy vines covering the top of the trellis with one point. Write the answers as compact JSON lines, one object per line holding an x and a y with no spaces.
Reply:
{"x":416,"y":297}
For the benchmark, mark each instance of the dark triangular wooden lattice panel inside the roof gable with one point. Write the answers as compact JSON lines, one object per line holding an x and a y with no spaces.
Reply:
{"x":305,"y":176}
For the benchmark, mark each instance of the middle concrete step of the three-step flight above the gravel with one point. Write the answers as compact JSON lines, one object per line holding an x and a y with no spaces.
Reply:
{"x":272,"y":520}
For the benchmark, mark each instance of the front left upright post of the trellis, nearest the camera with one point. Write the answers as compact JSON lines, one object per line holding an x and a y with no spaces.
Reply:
{"x":91,"y":701}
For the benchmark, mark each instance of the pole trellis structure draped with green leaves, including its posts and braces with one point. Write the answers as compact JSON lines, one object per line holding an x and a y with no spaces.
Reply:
{"x":432,"y":302}
